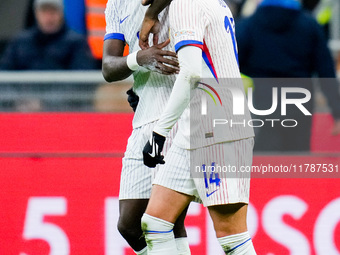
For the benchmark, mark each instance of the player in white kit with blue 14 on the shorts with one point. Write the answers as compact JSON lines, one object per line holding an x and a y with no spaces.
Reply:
{"x":201,"y":28}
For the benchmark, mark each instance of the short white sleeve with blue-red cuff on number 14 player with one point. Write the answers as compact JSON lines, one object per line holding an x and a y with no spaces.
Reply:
{"x":187,"y":24}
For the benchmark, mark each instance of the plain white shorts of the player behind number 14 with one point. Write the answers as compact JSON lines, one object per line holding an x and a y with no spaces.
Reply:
{"x":136,"y":178}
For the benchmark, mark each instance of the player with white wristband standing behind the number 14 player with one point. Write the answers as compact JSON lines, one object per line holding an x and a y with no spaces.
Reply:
{"x":148,"y":67}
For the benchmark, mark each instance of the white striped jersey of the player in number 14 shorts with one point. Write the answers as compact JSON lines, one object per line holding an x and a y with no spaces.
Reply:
{"x":209,"y":25}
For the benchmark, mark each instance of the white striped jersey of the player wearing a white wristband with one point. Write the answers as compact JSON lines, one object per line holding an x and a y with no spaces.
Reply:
{"x":123,"y":22}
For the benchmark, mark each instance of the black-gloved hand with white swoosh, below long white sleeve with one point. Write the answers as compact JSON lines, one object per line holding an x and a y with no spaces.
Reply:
{"x":153,"y":149}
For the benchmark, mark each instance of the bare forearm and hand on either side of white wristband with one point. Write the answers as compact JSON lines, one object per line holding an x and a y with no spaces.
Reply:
{"x":156,"y":59}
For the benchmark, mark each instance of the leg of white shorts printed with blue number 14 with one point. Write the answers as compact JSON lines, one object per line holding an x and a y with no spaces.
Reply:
{"x":222,"y":172}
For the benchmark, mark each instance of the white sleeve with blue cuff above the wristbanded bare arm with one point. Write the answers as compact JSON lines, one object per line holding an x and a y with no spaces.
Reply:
{"x":113,"y":28}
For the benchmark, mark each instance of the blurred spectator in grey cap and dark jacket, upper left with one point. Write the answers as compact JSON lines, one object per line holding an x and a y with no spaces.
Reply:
{"x":48,"y":46}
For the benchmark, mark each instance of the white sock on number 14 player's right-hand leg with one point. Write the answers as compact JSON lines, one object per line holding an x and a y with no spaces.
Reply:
{"x":239,"y":244}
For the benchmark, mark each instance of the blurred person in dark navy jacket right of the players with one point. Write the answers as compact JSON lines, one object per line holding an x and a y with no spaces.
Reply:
{"x":280,"y":40}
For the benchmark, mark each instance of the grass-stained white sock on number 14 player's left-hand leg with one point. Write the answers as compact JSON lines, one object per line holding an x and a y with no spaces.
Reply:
{"x":159,"y":236}
